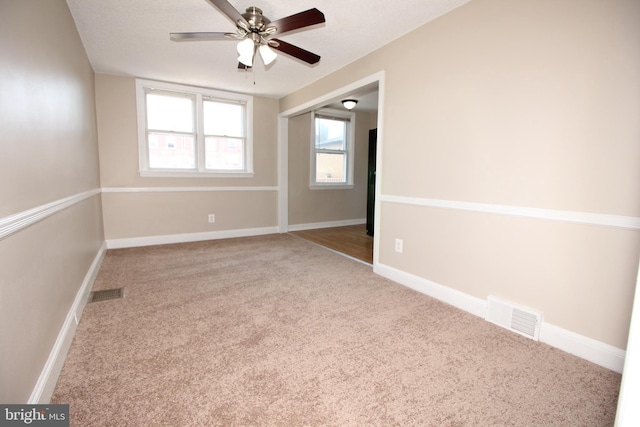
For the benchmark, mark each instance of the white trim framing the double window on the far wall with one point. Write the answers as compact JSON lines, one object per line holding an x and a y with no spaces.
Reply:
{"x":200,"y":93}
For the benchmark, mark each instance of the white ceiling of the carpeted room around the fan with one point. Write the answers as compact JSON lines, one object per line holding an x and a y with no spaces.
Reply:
{"x":131,"y":38}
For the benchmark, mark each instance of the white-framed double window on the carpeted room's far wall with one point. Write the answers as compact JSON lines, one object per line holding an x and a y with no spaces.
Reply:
{"x":187,"y":131}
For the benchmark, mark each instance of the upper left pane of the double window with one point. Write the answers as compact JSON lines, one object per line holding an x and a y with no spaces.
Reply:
{"x":166,"y":112}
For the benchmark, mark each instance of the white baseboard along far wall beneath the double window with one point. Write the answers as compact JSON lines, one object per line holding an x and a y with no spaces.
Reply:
{"x":133,"y":242}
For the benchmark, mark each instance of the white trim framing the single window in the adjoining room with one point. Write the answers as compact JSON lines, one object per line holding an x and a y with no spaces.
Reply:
{"x":351,"y":116}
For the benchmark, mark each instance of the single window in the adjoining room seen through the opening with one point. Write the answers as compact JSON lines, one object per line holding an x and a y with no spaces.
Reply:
{"x":332,"y":149}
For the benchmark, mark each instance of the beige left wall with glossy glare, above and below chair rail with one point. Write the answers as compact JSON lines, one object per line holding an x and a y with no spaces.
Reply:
{"x":48,"y":151}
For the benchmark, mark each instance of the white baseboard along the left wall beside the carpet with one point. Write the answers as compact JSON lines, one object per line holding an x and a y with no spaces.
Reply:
{"x":46,"y":383}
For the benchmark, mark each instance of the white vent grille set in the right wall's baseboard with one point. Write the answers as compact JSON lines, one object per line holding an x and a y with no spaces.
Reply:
{"x":518,"y":319}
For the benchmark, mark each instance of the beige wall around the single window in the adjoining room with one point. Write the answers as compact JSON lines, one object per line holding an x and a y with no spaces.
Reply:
{"x":308,"y":206}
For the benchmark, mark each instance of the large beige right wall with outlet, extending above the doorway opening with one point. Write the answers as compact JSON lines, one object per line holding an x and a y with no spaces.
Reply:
{"x":518,"y":104}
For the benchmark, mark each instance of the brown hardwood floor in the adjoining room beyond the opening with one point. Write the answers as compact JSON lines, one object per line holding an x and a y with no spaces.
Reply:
{"x":350,"y":240}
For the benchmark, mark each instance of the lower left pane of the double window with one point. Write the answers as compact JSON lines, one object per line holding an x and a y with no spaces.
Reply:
{"x":171,"y":151}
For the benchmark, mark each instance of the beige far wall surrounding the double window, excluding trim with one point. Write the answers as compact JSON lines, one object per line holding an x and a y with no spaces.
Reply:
{"x":142,"y":214}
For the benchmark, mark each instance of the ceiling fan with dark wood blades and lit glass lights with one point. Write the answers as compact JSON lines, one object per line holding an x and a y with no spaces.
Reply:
{"x":256,"y":33}
